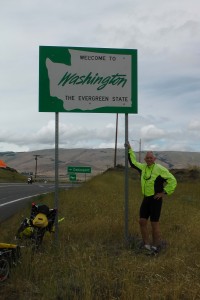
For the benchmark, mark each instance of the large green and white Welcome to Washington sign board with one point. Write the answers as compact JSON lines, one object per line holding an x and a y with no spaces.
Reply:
{"x":87,"y":80}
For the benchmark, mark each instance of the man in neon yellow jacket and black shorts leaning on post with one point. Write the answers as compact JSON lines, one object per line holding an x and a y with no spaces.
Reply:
{"x":156,"y":181}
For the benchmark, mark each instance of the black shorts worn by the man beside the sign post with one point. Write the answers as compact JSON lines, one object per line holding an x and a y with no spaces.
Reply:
{"x":151,"y":208}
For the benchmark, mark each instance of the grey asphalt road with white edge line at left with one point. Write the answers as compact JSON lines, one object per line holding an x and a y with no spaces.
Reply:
{"x":15,"y":196}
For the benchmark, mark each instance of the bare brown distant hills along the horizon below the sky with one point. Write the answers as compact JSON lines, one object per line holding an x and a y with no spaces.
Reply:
{"x":98,"y":159}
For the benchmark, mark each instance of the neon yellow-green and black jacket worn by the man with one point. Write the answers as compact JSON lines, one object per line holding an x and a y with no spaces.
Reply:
{"x":154,"y":178}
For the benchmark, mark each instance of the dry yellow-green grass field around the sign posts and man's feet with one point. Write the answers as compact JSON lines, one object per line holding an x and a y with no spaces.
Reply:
{"x":91,"y":259}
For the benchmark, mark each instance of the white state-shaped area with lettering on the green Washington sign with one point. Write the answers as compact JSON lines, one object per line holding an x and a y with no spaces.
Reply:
{"x":116,"y":92}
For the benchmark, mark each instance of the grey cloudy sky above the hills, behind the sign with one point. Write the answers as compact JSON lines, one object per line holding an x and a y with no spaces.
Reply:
{"x":166,"y":35}
